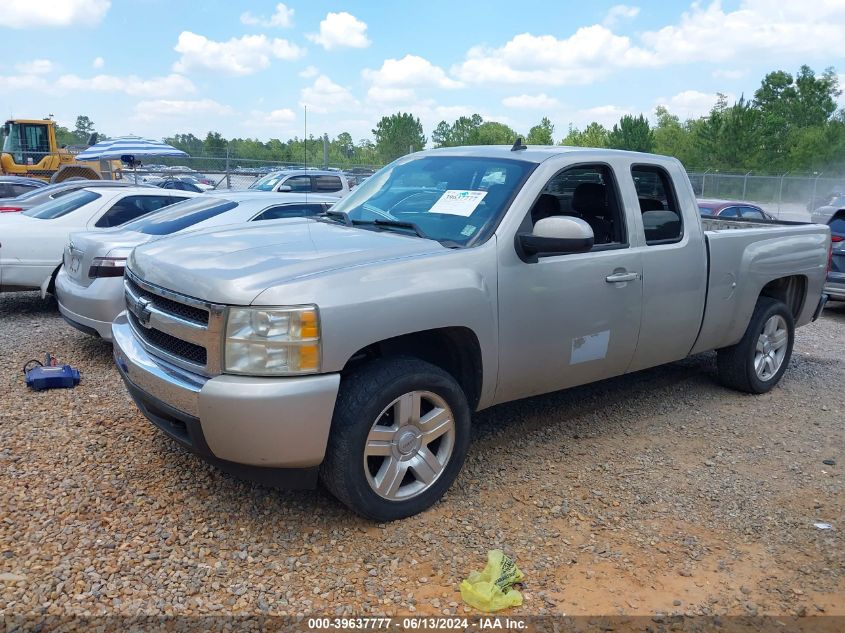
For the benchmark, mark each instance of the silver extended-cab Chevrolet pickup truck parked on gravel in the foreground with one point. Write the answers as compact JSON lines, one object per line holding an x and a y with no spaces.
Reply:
{"x":354,"y":347}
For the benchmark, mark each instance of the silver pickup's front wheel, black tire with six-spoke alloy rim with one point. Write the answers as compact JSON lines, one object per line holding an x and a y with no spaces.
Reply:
{"x":399,"y":437}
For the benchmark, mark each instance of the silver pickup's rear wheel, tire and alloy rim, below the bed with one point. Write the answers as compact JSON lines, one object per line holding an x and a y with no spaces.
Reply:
{"x":758,"y":361}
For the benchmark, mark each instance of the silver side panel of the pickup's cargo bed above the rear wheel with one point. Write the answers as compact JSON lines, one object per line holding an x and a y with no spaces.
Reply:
{"x":743,"y":261}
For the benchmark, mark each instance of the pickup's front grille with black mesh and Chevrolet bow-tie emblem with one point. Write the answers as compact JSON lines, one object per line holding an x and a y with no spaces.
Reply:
{"x":177,"y":328}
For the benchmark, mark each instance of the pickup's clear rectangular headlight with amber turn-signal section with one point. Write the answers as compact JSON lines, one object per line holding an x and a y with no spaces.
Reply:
{"x":273,"y":341}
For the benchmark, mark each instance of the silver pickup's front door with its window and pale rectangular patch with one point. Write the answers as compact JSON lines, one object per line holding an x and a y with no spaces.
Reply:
{"x":571,"y":319}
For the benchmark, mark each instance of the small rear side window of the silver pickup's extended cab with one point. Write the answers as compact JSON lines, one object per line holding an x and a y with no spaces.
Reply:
{"x":662,"y":221}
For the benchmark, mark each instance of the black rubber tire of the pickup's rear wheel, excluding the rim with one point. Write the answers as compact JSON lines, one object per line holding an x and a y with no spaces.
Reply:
{"x":736,"y":363}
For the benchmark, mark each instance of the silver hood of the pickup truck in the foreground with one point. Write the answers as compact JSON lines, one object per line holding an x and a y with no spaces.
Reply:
{"x":235,"y":265}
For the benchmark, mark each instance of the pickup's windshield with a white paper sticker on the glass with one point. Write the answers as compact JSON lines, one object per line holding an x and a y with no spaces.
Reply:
{"x":451,"y":199}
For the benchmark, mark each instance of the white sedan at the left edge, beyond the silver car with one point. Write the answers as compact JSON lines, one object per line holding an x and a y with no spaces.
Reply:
{"x":32,"y":242}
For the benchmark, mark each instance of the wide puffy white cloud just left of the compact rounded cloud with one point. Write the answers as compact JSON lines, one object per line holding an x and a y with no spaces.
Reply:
{"x":238,"y":56}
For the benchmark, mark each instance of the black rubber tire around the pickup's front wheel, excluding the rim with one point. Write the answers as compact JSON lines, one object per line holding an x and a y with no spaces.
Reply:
{"x":364,"y":395}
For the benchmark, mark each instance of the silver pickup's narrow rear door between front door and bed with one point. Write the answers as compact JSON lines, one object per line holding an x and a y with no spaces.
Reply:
{"x":674,"y":267}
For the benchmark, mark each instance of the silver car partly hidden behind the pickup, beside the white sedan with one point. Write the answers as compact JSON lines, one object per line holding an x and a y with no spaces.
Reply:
{"x":89,"y":286}
